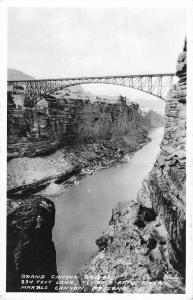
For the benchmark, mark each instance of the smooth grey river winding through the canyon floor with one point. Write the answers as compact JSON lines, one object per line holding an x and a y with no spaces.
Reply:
{"x":84,"y":211}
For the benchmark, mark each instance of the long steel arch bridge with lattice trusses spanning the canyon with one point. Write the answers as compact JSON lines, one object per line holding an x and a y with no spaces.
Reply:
{"x":155,"y":84}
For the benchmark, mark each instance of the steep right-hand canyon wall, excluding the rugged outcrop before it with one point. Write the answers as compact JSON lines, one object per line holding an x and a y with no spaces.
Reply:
{"x":164,"y":189}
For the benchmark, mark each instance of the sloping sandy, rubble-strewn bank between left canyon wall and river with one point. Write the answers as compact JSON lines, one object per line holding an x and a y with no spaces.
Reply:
{"x":89,"y":157}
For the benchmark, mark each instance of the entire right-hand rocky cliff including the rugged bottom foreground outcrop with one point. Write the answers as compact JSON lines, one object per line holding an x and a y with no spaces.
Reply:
{"x":143,"y":248}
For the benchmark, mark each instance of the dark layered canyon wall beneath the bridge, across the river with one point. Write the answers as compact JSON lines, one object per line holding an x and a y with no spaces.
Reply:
{"x":36,"y":131}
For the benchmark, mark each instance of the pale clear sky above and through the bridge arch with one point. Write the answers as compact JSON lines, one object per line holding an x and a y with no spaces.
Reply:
{"x":53,"y":42}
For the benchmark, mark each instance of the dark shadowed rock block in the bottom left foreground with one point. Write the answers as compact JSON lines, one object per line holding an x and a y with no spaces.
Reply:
{"x":31,"y":257}
